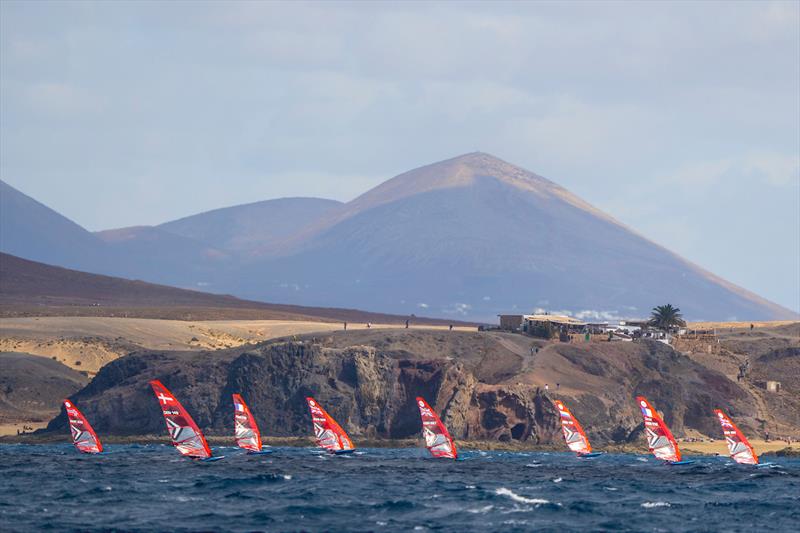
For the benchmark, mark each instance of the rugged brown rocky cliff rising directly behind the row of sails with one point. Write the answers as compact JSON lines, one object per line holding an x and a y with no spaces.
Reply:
{"x":486,"y":386}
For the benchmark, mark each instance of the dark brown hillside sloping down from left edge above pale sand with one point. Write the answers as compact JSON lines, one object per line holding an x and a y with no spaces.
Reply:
{"x":31,"y":288}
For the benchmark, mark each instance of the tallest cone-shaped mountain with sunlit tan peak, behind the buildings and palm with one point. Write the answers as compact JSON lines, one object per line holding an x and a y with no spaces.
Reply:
{"x":475,"y":236}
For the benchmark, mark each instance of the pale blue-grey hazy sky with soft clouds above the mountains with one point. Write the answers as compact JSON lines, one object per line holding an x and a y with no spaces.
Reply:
{"x":680,"y":119}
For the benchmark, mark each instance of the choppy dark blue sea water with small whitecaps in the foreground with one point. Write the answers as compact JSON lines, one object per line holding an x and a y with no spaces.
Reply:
{"x":148,"y":488}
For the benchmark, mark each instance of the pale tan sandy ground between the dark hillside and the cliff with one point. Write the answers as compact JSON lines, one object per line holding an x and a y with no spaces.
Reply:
{"x":88,"y":343}
